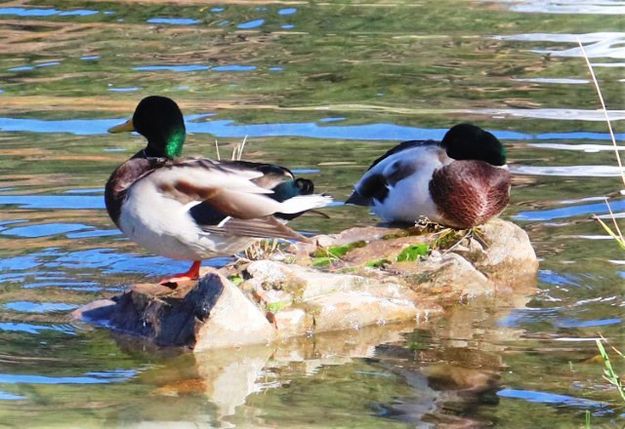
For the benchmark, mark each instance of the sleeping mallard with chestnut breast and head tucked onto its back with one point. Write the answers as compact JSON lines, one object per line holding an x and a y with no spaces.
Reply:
{"x":460,"y":182}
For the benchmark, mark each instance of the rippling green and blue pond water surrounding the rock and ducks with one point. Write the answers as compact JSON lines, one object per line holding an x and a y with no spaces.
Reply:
{"x":309,"y":85}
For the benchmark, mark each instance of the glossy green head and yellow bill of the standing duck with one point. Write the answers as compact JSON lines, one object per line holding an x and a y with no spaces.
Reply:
{"x":159,"y":120}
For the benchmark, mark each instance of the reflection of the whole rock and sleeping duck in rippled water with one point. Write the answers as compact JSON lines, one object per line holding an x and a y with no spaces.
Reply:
{"x":441,"y":372}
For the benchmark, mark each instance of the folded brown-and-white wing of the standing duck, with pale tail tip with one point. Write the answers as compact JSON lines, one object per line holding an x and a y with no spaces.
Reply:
{"x":227,"y":197}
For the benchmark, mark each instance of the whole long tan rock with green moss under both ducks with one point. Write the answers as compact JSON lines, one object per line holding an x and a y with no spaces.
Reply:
{"x":360,"y":277}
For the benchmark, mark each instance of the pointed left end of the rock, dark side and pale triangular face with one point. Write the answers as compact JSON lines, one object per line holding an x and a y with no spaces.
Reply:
{"x":204,"y":315}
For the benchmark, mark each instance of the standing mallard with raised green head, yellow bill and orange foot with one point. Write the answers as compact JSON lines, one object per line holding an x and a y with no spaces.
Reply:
{"x":198,"y":208}
